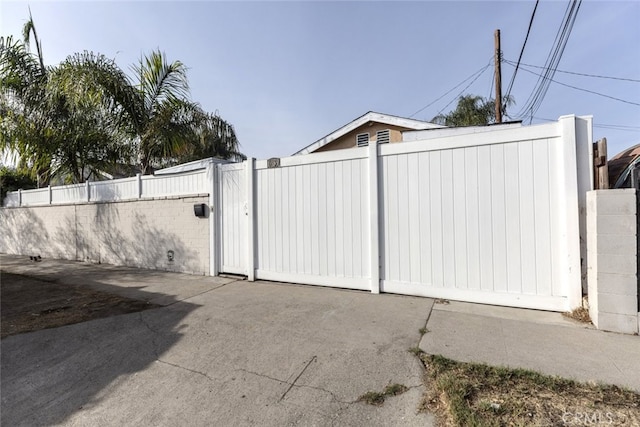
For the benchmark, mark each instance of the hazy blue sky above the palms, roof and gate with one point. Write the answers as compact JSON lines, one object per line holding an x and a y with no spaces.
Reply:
{"x":287,"y":73}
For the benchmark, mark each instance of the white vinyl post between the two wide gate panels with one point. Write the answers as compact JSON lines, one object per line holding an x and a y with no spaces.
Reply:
{"x":374,"y":221}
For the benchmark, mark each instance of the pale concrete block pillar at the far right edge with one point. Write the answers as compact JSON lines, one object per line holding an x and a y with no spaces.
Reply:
{"x":612,"y":260}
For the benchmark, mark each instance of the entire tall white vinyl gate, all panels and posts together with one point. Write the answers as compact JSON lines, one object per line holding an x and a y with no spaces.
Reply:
{"x":490,"y":218}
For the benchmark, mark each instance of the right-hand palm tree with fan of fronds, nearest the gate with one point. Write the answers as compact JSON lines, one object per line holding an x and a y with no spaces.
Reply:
{"x":164,"y":126}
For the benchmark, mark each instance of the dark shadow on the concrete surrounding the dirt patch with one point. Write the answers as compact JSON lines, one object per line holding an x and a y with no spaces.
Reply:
{"x":52,"y":374}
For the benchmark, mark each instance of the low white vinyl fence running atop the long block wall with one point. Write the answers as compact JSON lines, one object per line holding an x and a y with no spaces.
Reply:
{"x":133,"y":188}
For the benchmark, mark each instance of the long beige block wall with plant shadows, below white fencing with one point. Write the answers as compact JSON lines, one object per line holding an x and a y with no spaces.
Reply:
{"x":132,"y":233}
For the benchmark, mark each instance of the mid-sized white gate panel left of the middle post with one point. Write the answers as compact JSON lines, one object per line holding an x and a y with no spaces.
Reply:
{"x":312,"y":221}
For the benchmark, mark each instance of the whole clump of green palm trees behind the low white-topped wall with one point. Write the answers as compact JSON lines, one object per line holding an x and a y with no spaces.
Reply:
{"x":86,"y":115}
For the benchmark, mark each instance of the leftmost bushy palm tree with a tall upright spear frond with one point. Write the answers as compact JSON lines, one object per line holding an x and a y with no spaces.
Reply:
{"x":56,"y":131}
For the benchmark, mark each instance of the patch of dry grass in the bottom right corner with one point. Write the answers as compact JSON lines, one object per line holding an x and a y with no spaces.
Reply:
{"x":469,"y":394}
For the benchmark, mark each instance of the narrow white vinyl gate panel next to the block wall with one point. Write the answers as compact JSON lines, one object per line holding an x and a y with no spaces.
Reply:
{"x":232,"y":194}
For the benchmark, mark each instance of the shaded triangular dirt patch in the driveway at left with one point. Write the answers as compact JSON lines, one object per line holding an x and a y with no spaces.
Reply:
{"x":29,"y":304}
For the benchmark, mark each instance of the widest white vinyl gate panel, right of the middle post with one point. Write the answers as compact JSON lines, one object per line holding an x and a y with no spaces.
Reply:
{"x":475,"y":223}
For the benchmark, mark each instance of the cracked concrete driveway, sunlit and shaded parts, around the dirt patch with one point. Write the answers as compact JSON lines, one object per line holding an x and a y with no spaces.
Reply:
{"x":219,"y":352}
